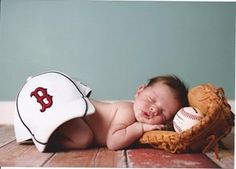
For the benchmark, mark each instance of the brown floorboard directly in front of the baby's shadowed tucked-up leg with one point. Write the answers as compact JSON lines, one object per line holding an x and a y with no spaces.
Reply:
{"x":78,"y":158}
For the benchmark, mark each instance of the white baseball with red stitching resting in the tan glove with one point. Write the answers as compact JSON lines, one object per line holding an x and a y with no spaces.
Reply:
{"x":185,"y":118}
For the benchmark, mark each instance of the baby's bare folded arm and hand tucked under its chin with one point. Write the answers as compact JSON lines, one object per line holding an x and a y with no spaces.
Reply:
{"x":121,"y":135}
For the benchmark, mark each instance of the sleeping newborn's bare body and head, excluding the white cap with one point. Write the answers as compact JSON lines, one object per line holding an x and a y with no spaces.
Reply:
{"x":119,"y":124}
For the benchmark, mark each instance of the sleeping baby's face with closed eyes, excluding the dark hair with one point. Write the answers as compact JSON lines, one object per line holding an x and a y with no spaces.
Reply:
{"x":155,"y":104}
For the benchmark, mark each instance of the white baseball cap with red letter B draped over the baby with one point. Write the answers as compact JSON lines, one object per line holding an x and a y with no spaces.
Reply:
{"x":45,"y":102}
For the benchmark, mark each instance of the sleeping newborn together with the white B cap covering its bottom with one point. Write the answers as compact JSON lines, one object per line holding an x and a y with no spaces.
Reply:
{"x":59,"y":125}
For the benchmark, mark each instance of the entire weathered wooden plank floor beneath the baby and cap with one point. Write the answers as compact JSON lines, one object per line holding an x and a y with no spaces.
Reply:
{"x":12,"y":154}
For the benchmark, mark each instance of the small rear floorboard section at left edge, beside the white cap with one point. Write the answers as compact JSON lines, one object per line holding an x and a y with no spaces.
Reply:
{"x":6,"y":135}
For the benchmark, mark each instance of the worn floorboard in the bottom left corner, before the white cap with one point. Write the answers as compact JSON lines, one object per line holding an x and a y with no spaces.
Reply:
{"x":14,"y":154}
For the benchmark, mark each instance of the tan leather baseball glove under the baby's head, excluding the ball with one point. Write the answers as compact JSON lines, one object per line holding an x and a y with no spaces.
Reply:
{"x":216,"y":123}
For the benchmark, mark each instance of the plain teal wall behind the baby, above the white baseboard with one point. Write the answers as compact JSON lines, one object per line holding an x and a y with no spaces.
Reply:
{"x":115,"y":46}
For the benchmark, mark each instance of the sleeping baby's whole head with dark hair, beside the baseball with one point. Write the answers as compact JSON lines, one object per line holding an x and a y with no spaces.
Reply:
{"x":159,"y":100}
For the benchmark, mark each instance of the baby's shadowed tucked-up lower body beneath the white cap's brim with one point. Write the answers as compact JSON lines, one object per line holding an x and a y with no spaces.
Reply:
{"x":74,"y":134}
